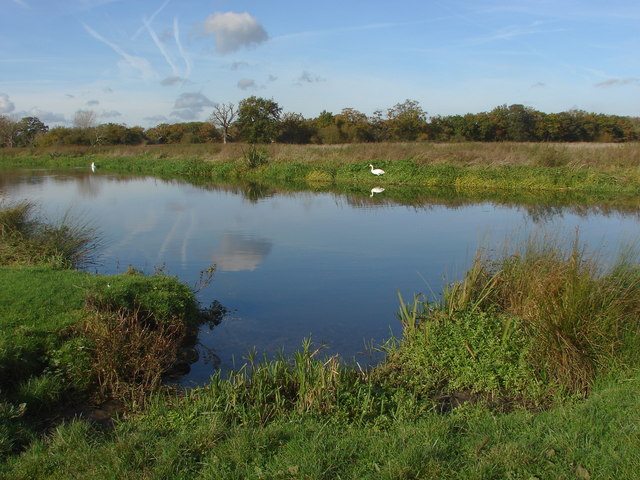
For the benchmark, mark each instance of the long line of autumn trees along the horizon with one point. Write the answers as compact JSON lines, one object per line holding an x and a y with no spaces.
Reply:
{"x":260,"y":120}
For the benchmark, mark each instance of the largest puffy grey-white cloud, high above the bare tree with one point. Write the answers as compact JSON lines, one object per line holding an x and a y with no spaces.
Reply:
{"x":233,"y":31}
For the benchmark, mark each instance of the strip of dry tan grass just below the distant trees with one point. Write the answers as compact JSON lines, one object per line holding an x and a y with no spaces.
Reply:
{"x":600,"y":155}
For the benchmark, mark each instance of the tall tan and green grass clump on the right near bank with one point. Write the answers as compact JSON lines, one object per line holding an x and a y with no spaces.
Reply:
{"x":574,"y":310}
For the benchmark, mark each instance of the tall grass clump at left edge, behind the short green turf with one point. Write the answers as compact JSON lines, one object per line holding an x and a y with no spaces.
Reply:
{"x":27,"y":240}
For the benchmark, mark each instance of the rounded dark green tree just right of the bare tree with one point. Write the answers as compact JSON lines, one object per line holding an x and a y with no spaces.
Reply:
{"x":258,"y":119}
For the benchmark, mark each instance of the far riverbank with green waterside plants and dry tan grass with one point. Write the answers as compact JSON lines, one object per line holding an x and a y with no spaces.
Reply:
{"x":612,"y":169}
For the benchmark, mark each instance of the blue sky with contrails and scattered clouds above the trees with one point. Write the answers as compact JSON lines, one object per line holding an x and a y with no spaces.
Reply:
{"x":145,"y":62}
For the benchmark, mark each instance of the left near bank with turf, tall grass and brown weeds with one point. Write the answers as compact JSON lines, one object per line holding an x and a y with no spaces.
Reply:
{"x":68,"y":337}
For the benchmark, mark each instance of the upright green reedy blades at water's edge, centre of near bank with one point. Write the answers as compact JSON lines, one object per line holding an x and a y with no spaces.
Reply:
{"x":306,"y":383}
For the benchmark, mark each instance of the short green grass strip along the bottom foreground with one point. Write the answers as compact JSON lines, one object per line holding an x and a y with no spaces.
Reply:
{"x":595,"y":438}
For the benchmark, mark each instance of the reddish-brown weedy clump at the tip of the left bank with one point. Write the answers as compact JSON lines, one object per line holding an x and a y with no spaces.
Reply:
{"x":136,"y":325}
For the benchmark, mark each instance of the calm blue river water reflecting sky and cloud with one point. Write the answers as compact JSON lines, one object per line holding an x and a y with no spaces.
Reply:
{"x":296,"y":264}
